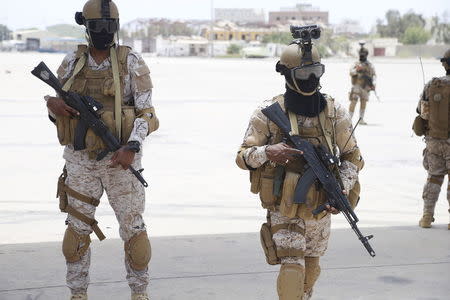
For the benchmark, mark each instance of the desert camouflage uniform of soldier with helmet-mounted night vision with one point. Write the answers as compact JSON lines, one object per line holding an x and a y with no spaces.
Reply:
{"x":312,"y":238}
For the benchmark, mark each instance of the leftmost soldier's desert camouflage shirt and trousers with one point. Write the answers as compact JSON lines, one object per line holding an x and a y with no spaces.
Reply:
{"x":90,"y":177}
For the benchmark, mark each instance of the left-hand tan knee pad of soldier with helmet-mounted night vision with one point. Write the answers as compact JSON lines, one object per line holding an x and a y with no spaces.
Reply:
{"x":289,"y":284}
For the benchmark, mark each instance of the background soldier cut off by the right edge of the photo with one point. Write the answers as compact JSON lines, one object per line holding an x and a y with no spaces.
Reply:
{"x":433,"y":122}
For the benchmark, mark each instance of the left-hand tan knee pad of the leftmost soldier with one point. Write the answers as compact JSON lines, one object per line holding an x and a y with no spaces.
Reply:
{"x":75,"y":245}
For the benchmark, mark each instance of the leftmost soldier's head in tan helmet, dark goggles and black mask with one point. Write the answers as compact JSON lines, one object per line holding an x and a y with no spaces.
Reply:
{"x":101,"y":19}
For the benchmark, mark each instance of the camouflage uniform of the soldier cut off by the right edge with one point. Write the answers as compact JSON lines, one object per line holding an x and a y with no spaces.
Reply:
{"x":436,"y":159}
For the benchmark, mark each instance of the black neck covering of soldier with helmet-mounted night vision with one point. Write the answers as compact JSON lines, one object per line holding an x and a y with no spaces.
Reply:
{"x":308,"y":106}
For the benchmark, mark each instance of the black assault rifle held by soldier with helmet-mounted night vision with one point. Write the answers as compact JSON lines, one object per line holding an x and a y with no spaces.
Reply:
{"x":319,"y":164}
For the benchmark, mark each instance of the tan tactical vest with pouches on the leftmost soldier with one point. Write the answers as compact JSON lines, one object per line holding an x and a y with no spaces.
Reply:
{"x":101,"y":86}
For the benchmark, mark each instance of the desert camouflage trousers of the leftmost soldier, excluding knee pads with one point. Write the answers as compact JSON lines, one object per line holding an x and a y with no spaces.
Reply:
{"x":127,"y":198}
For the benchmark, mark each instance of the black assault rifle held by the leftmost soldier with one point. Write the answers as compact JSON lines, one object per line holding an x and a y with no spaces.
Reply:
{"x":89,"y":118}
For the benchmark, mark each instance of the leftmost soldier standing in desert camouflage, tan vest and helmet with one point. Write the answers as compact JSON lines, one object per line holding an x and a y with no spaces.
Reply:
{"x":117,"y":77}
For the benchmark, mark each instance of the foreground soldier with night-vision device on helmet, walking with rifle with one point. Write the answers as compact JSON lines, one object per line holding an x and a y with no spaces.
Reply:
{"x":293,"y":236}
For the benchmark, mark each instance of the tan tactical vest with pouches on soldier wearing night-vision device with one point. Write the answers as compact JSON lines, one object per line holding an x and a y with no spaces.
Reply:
{"x":276,"y":184}
